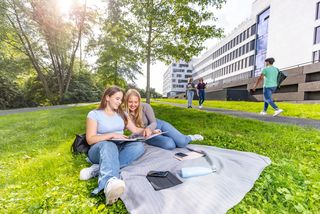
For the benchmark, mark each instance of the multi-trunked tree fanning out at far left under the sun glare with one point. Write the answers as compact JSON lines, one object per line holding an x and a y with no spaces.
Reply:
{"x":48,"y":38}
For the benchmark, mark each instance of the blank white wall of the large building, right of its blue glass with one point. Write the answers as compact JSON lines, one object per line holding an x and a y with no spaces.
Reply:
{"x":291,"y":31}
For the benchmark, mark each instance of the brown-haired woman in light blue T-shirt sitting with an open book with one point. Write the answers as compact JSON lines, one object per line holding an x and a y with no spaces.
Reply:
{"x":104,"y":124}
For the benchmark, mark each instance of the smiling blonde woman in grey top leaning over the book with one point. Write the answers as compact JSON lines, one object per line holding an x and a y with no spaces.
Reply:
{"x":143,"y":116}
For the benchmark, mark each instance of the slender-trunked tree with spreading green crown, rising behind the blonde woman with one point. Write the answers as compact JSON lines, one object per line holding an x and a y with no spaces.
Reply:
{"x":171,"y":30}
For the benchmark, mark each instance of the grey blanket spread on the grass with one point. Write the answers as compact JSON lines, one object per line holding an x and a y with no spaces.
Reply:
{"x":213,"y":193}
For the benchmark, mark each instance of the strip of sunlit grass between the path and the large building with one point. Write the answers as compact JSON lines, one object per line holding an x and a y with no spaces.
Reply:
{"x":310,"y":111}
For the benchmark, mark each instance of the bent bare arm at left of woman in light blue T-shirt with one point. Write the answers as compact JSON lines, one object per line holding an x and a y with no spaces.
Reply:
{"x":91,"y":133}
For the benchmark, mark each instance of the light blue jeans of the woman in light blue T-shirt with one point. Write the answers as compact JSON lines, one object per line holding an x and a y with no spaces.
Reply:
{"x":111,"y":157}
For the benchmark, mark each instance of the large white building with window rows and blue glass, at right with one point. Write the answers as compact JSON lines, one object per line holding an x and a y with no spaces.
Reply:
{"x":288,"y":30}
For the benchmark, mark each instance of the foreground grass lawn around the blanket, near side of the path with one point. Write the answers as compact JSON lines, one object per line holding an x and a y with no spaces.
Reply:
{"x":38,"y":173}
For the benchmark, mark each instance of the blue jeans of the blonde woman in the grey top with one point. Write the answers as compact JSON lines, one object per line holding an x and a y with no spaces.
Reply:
{"x":170,"y":140}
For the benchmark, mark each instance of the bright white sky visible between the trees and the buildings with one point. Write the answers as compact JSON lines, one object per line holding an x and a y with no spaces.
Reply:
{"x":233,"y":13}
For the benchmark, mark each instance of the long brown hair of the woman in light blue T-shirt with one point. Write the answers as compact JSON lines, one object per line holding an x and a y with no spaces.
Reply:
{"x":109,"y":92}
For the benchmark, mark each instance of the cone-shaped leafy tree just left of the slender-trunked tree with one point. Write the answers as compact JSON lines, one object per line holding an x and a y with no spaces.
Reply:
{"x":118,"y":60}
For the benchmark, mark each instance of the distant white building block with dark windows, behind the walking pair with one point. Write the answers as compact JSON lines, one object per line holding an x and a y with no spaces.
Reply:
{"x":175,"y":78}
